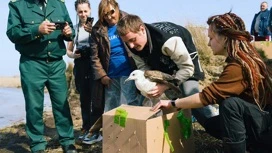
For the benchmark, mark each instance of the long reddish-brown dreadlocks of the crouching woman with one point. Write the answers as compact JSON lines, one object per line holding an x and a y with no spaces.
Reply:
{"x":239,"y":48}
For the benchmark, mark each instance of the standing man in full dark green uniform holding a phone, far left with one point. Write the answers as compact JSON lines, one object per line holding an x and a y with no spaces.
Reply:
{"x":31,"y":27}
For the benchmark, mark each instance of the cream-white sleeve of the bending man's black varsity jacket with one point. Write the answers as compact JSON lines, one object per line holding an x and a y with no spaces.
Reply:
{"x":176,"y":49}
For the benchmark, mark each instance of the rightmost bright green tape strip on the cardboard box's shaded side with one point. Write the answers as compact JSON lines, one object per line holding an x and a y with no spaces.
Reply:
{"x":185,"y":124}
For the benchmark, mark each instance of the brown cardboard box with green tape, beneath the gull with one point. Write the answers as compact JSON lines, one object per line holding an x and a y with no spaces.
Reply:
{"x":142,"y":131}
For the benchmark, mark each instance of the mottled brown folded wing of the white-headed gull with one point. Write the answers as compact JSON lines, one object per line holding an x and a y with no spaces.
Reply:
{"x":163,"y":78}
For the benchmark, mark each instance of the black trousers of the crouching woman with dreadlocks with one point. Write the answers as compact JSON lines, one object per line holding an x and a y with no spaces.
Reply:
{"x":240,"y":121}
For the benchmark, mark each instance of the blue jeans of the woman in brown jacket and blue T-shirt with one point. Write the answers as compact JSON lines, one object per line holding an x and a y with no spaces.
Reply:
{"x":118,"y":89}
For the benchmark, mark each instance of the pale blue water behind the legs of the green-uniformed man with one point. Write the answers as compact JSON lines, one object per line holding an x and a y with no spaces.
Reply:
{"x":12,"y":106}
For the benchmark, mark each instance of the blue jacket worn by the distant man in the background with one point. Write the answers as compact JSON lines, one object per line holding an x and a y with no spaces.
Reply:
{"x":264,"y":23}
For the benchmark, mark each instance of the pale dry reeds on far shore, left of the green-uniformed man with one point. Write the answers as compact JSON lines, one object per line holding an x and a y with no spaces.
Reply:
{"x":10,"y":81}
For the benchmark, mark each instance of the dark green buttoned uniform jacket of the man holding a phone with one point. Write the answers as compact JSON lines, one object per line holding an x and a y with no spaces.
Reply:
{"x":24,"y":19}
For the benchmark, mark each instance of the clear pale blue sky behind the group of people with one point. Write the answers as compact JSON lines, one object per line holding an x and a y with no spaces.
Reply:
{"x":182,"y":12}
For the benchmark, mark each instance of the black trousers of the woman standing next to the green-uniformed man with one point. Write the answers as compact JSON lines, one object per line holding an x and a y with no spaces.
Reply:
{"x":84,"y":84}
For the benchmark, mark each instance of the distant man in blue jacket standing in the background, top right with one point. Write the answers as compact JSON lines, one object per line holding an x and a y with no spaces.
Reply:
{"x":260,"y":24}
